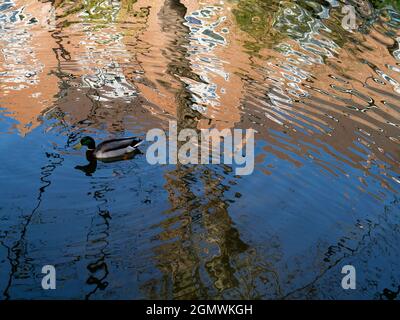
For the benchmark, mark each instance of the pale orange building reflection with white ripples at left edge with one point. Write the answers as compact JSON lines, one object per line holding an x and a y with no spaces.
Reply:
{"x":28,"y":85}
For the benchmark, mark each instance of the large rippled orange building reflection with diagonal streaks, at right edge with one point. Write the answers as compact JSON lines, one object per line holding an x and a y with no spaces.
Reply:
{"x":312,"y":97}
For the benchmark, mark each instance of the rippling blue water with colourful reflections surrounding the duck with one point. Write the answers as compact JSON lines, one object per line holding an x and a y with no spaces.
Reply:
{"x":325,"y":190}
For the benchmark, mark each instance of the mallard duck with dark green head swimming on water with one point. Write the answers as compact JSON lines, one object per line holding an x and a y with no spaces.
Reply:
{"x":109,"y":149}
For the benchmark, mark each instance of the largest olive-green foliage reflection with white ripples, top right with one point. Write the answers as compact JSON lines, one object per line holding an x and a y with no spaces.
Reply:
{"x":269,"y":22}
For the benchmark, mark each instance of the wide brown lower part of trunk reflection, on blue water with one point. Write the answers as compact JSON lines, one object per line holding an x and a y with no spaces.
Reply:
{"x":197,"y":233}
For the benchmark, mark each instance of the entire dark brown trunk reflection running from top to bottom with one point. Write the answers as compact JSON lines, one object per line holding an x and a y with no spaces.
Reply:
{"x":198,"y":239}
